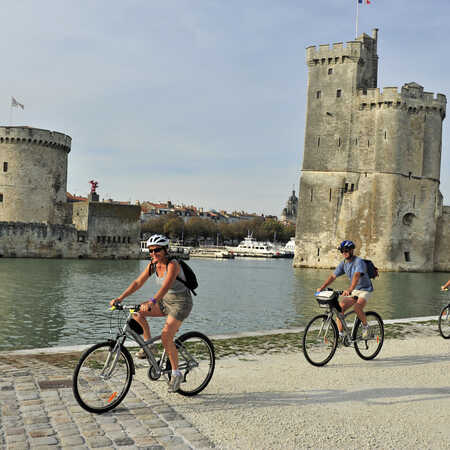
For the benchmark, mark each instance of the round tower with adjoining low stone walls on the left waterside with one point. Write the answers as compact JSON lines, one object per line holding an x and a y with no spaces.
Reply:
{"x":39,"y":219}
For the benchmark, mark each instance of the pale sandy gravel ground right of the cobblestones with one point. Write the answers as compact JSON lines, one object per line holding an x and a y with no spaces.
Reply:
{"x":399,"y":400}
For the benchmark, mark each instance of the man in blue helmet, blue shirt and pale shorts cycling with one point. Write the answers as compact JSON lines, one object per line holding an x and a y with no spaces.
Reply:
{"x":360,"y":288}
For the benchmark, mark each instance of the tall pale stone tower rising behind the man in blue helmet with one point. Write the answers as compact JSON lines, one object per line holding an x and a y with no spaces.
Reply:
{"x":371,"y":163}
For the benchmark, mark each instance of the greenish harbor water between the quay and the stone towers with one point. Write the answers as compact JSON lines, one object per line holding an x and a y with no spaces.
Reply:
{"x":46,"y":303}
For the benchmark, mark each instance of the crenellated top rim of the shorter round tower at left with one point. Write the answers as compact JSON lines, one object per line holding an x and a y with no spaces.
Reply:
{"x":37,"y":136}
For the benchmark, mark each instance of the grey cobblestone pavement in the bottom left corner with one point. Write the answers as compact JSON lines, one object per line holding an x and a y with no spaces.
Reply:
{"x":38,"y":411}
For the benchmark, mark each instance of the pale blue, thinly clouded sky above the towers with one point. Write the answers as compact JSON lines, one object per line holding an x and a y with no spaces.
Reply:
{"x":198,"y":101}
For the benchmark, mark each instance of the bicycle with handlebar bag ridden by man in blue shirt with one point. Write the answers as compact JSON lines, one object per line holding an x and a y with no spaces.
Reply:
{"x":321,"y":336}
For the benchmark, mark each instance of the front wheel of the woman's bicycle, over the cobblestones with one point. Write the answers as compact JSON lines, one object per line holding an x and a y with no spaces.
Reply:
{"x":102,"y":377}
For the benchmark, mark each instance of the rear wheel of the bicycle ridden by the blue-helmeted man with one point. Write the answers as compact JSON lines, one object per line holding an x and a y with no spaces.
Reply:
{"x":368,"y":348}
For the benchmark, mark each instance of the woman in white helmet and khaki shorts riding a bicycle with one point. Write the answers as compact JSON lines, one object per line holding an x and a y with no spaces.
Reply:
{"x":173,"y":300}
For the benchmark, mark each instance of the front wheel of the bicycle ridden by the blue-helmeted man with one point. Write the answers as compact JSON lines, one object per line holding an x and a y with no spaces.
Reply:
{"x":320,"y":340}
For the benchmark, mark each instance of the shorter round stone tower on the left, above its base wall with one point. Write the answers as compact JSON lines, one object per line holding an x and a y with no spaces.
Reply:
{"x":33,"y":175}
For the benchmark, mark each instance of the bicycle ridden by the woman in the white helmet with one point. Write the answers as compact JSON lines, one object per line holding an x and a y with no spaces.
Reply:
{"x":103,"y":375}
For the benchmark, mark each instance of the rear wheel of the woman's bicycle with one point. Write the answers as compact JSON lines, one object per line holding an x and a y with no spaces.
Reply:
{"x":197,"y":361}
